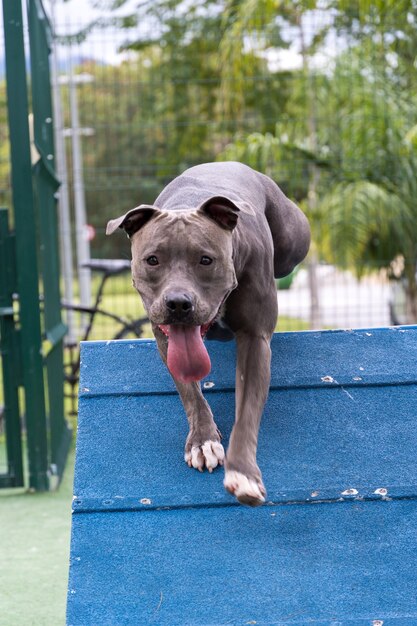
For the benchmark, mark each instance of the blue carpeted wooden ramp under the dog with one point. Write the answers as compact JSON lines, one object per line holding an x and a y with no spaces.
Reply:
{"x":154,"y":542}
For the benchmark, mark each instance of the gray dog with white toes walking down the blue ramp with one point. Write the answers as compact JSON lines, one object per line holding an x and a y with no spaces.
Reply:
{"x":204,"y":260}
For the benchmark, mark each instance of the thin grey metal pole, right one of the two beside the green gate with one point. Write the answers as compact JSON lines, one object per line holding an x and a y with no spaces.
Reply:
{"x":82,"y":243}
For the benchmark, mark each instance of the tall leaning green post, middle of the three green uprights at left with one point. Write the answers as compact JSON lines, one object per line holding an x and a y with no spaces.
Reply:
{"x":26,"y":252}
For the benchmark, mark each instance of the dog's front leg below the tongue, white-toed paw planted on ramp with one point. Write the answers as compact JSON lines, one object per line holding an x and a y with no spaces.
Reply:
{"x":202,"y":447}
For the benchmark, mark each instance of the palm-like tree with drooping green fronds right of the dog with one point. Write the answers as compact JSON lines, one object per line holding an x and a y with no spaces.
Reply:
{"x":362,"y":141}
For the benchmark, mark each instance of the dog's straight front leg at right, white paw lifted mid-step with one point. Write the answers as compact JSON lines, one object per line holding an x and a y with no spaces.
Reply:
{"x":243,"y":478}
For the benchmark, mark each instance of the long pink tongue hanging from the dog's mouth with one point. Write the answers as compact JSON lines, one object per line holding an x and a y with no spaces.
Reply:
{"x":188,"y":359}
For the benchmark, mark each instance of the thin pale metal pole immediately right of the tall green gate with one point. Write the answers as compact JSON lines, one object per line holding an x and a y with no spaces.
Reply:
{"x":63,"y":197}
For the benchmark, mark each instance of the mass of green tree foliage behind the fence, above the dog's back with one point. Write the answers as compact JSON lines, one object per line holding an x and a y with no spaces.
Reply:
{"x":199,"y":83}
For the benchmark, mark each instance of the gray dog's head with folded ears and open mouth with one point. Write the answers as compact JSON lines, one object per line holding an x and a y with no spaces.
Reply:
{"x":182,"y":265}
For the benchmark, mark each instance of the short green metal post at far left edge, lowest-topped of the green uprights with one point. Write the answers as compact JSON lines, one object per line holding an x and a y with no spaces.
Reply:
{"x":10,"y":358}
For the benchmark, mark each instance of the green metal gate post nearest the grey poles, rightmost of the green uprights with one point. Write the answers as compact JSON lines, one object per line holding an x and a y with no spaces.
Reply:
{"x":46,"y":185}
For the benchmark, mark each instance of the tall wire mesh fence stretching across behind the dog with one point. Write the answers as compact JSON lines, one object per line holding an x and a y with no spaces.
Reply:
{"x":320,"y":96}
